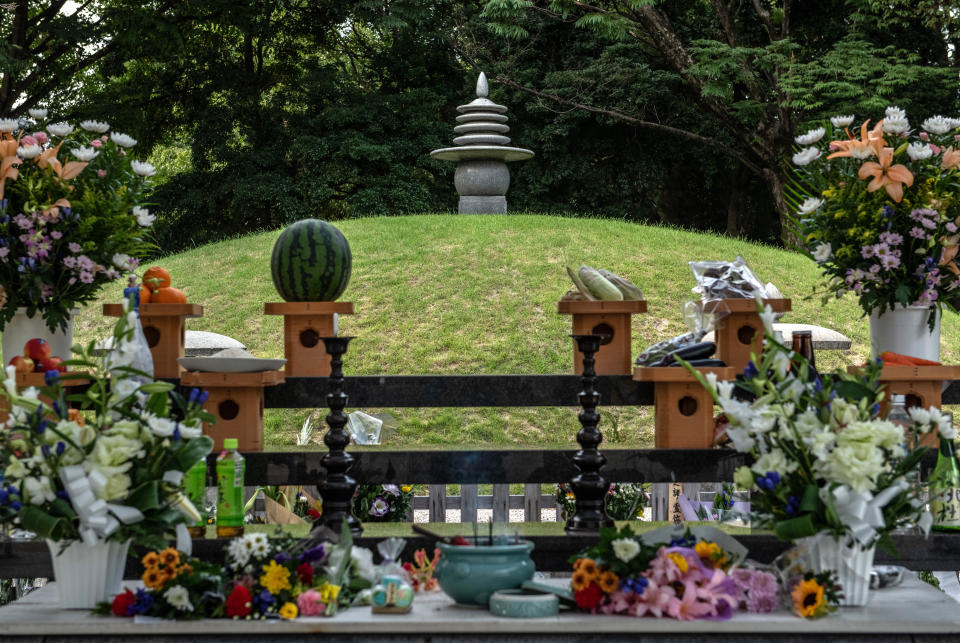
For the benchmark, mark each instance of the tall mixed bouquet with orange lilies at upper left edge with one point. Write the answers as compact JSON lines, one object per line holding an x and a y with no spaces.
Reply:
{"x":71,"y":214}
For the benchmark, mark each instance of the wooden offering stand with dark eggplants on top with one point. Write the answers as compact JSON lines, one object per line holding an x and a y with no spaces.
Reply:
{"x":683,"y":409}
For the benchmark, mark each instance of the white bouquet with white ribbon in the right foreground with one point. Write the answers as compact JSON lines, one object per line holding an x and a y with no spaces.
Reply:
{"x":825,"y":466}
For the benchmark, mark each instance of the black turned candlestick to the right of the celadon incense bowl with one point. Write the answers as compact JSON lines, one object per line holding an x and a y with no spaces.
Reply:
{"x":589,"y":487}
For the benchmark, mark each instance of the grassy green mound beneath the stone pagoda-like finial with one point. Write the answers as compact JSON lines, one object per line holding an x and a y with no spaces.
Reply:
{"x":477,"y":294}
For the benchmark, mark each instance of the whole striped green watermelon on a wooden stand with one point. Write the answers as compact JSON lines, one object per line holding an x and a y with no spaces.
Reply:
{"x":311,"y":262}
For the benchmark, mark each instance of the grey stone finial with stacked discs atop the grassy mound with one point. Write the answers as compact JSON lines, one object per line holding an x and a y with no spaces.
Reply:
{"x":482,"y":154}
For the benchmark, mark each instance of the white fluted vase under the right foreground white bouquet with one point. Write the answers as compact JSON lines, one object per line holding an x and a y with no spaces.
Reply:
{"x":851,"y":563}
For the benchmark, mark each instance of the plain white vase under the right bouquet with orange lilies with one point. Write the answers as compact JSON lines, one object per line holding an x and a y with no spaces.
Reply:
{"x":905,"y":330}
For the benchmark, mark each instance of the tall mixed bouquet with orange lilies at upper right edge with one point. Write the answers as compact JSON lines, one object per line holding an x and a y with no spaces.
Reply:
{"x":881,"y":215}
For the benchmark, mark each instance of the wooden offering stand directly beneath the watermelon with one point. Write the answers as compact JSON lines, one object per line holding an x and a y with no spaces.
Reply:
{"x":305,"y":323}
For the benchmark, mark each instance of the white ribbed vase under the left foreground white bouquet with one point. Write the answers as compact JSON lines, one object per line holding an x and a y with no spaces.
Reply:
{"x":87,"y":575}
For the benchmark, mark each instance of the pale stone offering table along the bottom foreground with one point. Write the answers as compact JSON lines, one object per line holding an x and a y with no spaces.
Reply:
{"x":913,"y":611}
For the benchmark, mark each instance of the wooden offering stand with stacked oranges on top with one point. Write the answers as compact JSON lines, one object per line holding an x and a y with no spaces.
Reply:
{"x":164,"y":326}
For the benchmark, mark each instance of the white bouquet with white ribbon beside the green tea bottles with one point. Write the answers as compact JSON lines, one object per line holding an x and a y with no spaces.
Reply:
{"x":106,"y":474}
